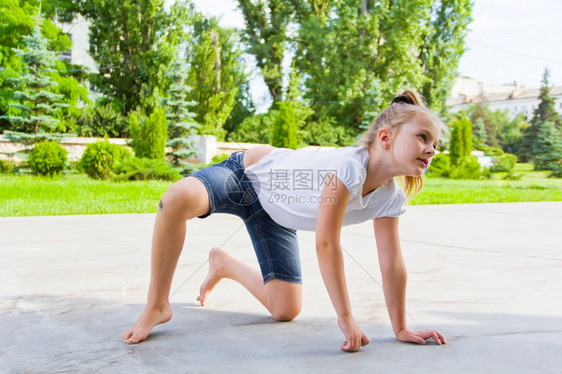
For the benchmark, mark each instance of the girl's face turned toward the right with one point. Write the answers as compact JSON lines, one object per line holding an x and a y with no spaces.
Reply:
{"x":414,"y":145}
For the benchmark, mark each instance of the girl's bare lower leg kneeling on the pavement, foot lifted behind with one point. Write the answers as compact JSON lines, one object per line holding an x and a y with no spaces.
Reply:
{"x":282,"y":299}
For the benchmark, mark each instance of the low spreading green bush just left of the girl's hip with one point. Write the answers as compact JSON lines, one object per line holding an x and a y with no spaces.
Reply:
{"x":134,"y":169}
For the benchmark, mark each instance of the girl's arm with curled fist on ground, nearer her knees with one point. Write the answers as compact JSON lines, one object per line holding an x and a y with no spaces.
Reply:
{"x":330,"y":218}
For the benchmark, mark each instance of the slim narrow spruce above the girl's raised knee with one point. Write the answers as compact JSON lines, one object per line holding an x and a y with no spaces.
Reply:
{"x":181,"y":124}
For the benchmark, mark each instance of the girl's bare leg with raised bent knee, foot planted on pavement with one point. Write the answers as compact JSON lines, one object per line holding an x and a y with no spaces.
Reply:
{"x":185,"y":199}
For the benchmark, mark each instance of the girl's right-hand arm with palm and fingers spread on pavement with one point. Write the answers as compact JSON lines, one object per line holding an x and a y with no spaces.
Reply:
{"x":394,"y":278}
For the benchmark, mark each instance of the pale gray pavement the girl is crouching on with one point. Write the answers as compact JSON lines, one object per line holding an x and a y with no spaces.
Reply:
{"x":488,"y":276}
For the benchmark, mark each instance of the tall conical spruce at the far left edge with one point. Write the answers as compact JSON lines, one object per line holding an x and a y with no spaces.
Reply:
{"x":36,"y":103}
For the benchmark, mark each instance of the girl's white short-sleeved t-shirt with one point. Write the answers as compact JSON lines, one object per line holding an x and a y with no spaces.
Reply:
{"x":289,"y":184}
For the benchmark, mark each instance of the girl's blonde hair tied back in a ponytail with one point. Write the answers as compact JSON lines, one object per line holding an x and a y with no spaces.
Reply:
{"x":401,"y":110}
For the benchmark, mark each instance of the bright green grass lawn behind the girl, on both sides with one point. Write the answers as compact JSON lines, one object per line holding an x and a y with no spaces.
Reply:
{"x":77,"y":194}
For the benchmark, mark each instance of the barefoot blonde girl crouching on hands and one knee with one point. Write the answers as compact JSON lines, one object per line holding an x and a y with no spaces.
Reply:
{"x":279,"y":191}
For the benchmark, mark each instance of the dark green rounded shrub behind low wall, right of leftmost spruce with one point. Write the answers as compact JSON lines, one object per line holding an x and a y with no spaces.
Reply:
{"x":100,"y":121}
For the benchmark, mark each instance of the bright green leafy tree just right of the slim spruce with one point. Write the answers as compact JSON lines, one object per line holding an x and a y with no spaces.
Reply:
{"x":216,"y":71}
